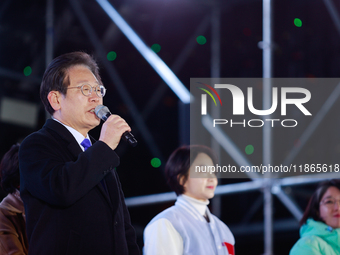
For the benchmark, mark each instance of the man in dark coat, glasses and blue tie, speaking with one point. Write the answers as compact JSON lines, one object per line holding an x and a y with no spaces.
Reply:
{"x":73,"y":198}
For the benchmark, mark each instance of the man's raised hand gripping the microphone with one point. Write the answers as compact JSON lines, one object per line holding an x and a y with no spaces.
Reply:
{"x":112,"y":130}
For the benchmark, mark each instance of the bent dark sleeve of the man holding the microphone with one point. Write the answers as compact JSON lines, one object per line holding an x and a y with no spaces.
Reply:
{"x":52,"y":171}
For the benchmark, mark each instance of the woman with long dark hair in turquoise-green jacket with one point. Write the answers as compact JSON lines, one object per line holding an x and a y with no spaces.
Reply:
{"x":320,"y":224}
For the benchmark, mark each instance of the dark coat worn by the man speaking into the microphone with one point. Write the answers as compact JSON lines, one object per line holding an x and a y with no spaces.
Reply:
{"x":67,"y":209}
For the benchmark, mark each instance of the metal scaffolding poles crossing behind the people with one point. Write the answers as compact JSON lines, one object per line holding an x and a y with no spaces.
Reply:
{"x":268,"y":186}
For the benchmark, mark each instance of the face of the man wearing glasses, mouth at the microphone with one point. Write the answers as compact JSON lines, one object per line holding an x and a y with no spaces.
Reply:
{"x":77,"y":110}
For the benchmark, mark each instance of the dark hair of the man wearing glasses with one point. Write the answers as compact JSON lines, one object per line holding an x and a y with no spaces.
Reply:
{"x":56,"y":79}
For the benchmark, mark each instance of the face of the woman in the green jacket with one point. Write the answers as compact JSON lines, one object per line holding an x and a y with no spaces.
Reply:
{"x":330,"y":207}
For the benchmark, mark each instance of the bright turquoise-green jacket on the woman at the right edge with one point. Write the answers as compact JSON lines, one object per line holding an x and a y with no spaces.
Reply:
{"x":317,"y":239}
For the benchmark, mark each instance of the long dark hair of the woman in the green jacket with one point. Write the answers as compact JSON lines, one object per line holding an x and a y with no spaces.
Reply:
{"x":312,"y":210}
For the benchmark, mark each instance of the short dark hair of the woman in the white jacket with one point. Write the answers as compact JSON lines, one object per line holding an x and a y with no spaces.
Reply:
{"x":178,"y":165}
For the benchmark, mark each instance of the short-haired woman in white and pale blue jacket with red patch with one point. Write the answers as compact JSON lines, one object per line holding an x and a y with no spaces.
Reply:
{"x":188,"y":227}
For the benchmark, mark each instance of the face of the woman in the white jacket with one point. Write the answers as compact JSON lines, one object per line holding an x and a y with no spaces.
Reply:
{"x":200,"y":185}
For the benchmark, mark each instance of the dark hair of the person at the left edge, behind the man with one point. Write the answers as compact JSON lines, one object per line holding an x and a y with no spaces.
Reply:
{"x":9,"y":170}
